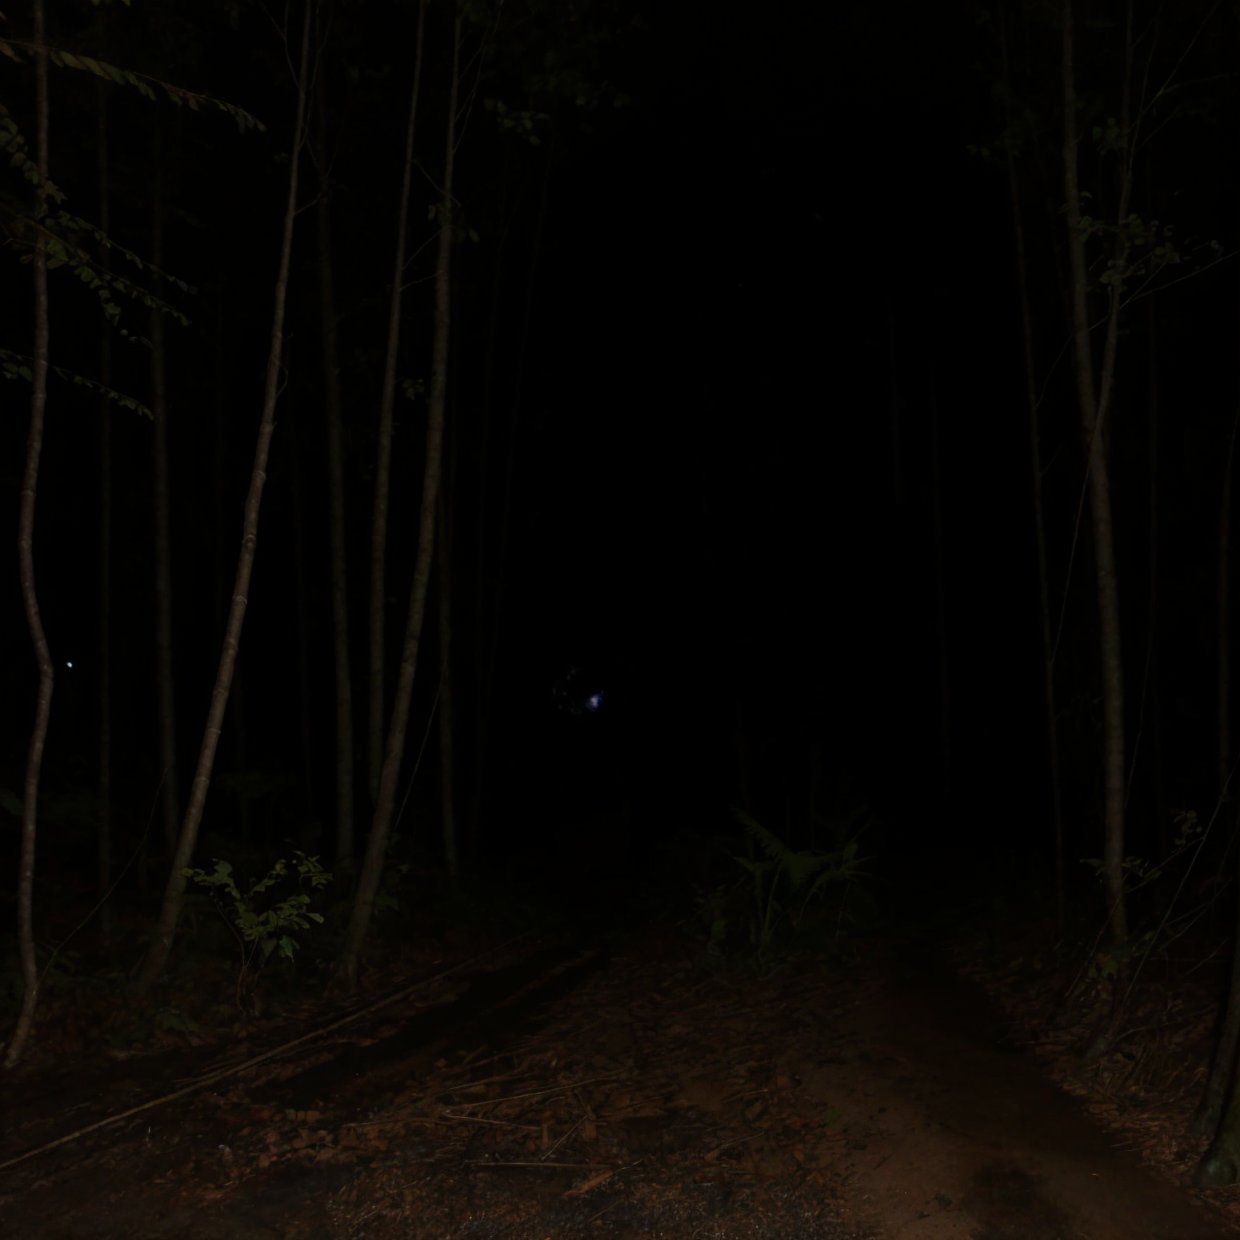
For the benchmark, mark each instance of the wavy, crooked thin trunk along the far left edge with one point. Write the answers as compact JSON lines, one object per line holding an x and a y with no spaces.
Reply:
{"x":27,"y":564}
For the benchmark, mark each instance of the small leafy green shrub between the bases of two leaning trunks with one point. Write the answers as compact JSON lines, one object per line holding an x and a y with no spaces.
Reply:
{"x":265,"y":932}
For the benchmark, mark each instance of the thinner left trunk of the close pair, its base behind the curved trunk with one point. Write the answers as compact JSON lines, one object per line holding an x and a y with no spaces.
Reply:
{"x":384,"y":443}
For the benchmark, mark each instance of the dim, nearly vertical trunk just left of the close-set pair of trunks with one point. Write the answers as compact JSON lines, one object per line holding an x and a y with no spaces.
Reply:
{"x":347,"y":861}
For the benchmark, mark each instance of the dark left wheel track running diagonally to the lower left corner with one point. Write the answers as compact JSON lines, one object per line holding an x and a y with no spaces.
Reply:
{"x":131,"y":1181}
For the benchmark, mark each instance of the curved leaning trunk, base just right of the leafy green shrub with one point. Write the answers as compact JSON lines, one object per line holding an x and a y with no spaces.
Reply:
{"x":385,"y":807}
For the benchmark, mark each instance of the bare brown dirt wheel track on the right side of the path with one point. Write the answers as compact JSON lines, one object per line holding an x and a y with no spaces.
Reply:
{"x":953,"y":1135}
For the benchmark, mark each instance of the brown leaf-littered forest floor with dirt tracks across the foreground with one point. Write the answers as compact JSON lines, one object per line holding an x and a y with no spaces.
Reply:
{"x":556,"y":1089}
